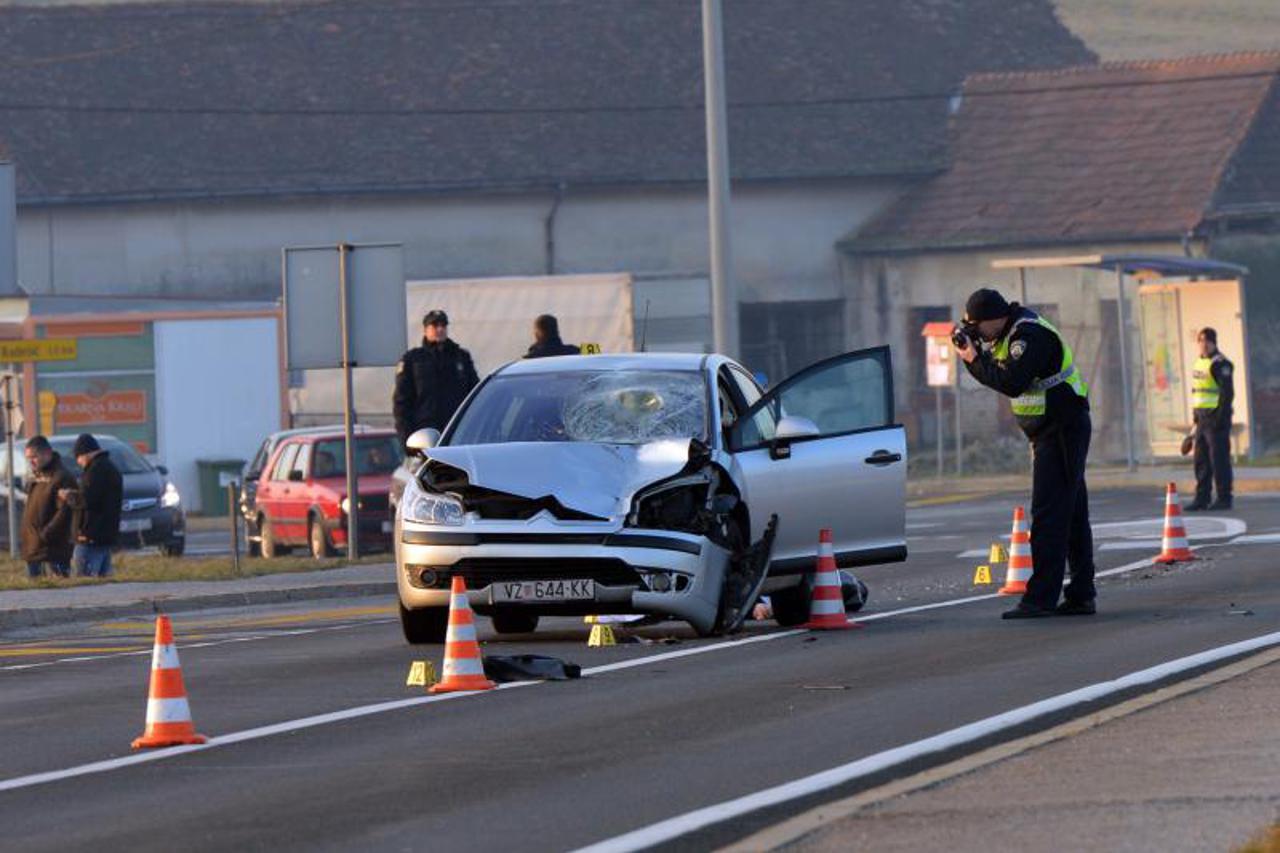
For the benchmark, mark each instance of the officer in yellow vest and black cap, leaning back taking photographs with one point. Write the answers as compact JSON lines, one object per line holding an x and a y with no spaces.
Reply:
{"x":1027,"y":359}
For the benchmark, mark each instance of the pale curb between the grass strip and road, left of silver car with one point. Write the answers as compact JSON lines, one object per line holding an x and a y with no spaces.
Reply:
{"x":44,"y":617}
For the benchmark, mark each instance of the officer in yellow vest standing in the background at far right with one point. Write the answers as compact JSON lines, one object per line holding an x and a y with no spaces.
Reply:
{"x":1213,"y":394}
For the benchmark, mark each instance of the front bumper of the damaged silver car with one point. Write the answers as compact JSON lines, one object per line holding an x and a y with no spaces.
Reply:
{"x":657,"y":573}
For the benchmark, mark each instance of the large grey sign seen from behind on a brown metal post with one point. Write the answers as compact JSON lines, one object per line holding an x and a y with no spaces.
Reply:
{"x":365,"y":284}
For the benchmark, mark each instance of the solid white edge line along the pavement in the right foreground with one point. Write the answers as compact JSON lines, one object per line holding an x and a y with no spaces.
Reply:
{"x":700,"y":819}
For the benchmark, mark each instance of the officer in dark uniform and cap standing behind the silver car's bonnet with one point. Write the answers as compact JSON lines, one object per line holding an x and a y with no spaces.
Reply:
{"x":432,"y":381}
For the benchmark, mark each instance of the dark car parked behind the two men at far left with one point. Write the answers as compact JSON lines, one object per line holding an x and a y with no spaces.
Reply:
{"x":152,"y":513}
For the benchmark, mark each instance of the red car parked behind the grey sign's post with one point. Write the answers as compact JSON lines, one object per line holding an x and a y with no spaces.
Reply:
{"x":303,"y":494}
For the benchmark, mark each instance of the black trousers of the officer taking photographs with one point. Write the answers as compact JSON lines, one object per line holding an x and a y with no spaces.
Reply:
{"x":1060,"y":517}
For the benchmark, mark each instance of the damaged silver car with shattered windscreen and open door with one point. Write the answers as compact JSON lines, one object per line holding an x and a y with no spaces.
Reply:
{"x":669,"y":486}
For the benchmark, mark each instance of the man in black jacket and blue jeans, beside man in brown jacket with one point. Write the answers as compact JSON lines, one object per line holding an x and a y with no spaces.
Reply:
{"x":98,"y":509}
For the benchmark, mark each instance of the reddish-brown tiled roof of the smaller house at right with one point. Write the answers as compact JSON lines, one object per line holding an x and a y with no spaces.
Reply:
{"x":1113,"y":152}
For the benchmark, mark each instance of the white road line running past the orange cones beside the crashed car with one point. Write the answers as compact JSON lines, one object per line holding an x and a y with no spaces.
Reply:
{"x":363,"y":711}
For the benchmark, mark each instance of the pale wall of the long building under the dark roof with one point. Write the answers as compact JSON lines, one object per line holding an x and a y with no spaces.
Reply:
{"x":784,"y":238}
